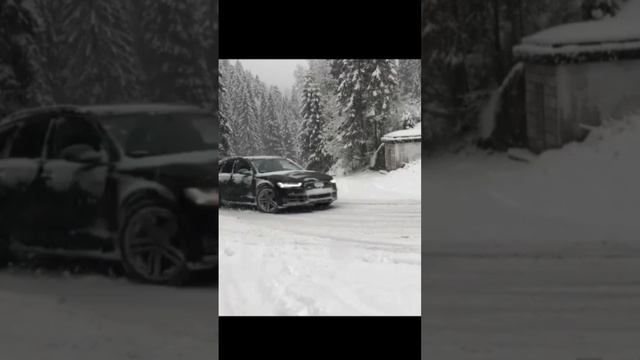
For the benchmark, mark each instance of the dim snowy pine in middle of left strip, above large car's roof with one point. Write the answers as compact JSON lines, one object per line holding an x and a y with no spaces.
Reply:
{"x":102,"y":64}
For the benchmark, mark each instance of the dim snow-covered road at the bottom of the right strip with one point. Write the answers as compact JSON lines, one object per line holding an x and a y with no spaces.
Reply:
{"x":503,"y":308}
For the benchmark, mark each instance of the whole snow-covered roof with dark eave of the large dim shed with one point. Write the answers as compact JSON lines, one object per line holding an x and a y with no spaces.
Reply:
{"x":596,"y":40}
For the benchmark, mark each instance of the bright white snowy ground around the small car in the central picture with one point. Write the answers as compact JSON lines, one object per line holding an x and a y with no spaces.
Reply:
{"x":359,"y":257}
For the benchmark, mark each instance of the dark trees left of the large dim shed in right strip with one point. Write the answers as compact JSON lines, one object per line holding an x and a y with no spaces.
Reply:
{"x":467,"y":52}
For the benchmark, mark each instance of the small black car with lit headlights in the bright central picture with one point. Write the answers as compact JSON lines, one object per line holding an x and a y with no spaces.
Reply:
{"x":272,"y":183}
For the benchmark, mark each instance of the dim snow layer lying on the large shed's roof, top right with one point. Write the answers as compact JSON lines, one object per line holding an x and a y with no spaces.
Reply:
{"x":619,"y":33}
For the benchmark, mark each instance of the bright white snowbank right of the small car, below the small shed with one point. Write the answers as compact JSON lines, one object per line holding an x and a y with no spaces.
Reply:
{"x":403,"y":183}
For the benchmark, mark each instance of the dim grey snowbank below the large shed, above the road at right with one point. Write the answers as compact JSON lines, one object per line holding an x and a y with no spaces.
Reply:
{"x":580,"y":199}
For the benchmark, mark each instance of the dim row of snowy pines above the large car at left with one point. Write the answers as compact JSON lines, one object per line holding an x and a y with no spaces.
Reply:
{"x":90,"y":52}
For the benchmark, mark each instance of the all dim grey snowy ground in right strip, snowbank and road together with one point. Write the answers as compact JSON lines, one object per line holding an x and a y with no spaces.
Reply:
{"x":536,"y":260}
